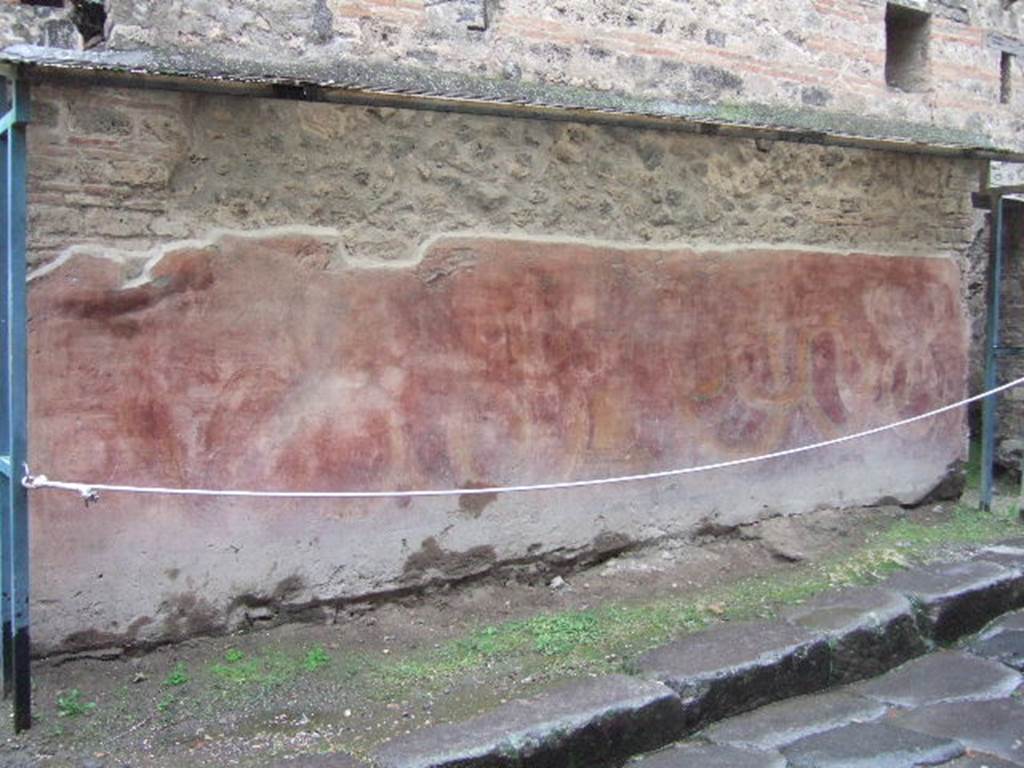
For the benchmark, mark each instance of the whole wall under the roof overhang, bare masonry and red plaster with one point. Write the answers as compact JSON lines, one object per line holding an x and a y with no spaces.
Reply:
{"x":234,"y":292}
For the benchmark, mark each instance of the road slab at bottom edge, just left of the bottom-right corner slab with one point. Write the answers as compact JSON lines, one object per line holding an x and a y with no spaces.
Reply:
{"x":871,"y":746}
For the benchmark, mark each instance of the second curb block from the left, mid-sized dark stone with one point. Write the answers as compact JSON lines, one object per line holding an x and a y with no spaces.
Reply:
{"x":736,"y":668}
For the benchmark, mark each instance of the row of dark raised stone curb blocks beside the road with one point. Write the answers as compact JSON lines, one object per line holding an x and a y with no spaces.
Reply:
{"x":728,"y":670}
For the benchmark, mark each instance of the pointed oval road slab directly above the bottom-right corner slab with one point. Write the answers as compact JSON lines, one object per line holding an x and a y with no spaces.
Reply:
{"x":946,"y":676}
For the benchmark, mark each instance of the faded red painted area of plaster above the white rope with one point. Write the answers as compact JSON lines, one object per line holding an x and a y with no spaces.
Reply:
{"x":248,"y":365}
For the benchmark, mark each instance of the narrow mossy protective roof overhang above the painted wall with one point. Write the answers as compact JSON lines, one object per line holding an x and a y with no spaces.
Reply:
{"x":407,"y":88}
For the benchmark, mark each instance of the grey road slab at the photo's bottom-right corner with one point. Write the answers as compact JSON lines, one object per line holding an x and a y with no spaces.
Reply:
{"x":996,"y":728}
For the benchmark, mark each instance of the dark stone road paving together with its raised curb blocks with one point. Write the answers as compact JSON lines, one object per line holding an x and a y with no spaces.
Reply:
{"x":843,"y":681}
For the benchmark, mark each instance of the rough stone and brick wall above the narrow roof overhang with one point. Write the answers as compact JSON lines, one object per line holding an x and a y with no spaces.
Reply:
{"x":814,"y":56}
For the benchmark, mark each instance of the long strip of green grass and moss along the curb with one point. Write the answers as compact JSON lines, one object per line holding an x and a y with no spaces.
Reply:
{"x":603,"y":639}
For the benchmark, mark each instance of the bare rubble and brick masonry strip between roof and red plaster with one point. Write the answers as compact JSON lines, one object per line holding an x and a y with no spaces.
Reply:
{"x":135,"y":169}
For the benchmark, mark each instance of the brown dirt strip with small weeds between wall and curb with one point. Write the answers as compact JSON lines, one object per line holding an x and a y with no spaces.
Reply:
{"x":267,"y":697}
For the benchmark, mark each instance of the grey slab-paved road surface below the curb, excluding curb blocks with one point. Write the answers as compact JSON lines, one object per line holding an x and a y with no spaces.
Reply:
{"x":960,"y":708}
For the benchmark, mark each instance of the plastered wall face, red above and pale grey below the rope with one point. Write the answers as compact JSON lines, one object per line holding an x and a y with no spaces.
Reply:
{"x":265,"y":363}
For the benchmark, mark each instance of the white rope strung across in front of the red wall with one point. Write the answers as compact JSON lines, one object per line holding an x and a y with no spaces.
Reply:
{"x":90,"y":491}
